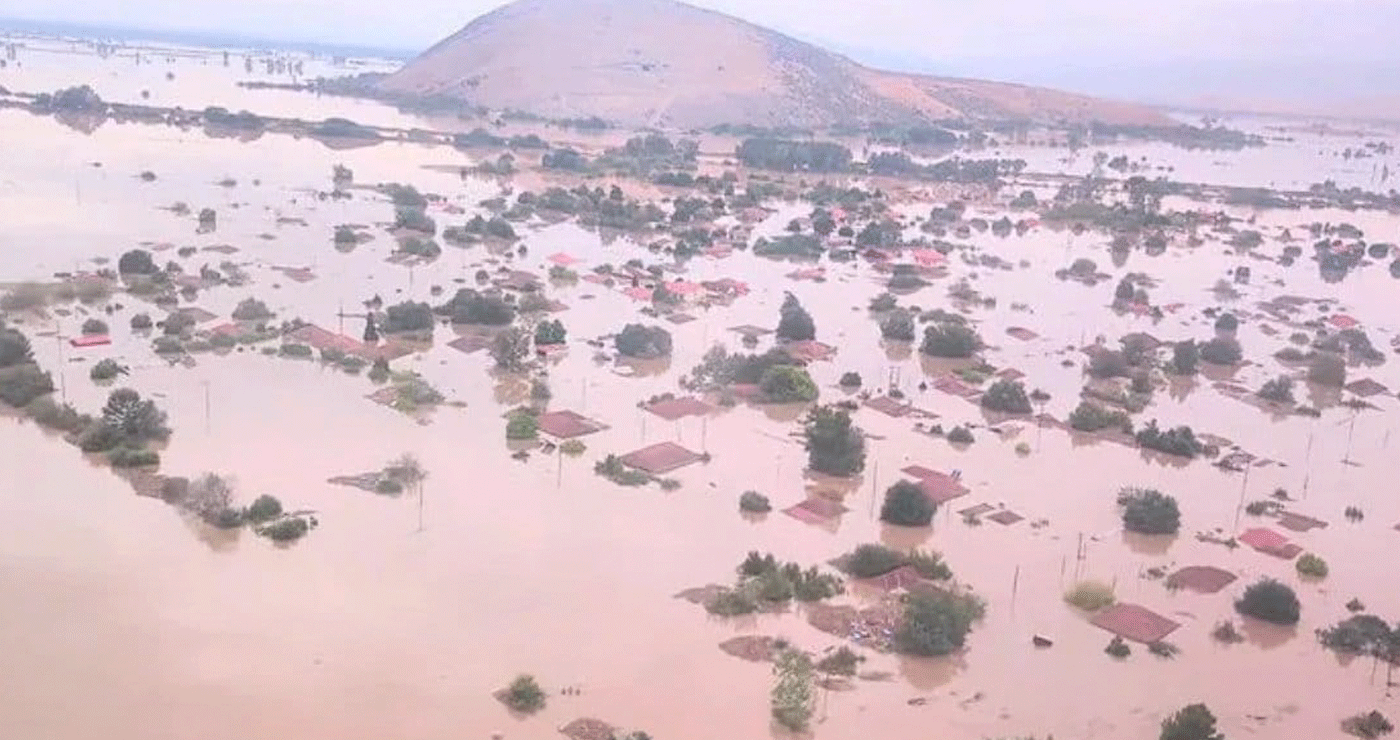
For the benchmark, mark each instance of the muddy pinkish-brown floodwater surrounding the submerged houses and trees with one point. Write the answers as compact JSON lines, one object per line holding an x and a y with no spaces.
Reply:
{"x":398,"y":618}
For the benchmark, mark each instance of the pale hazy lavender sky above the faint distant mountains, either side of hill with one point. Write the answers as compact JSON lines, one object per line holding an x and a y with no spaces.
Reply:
{"x":925,"y":29}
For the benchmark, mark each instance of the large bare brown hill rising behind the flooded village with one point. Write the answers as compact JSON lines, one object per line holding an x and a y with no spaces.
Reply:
{"x":670,"y":65}
